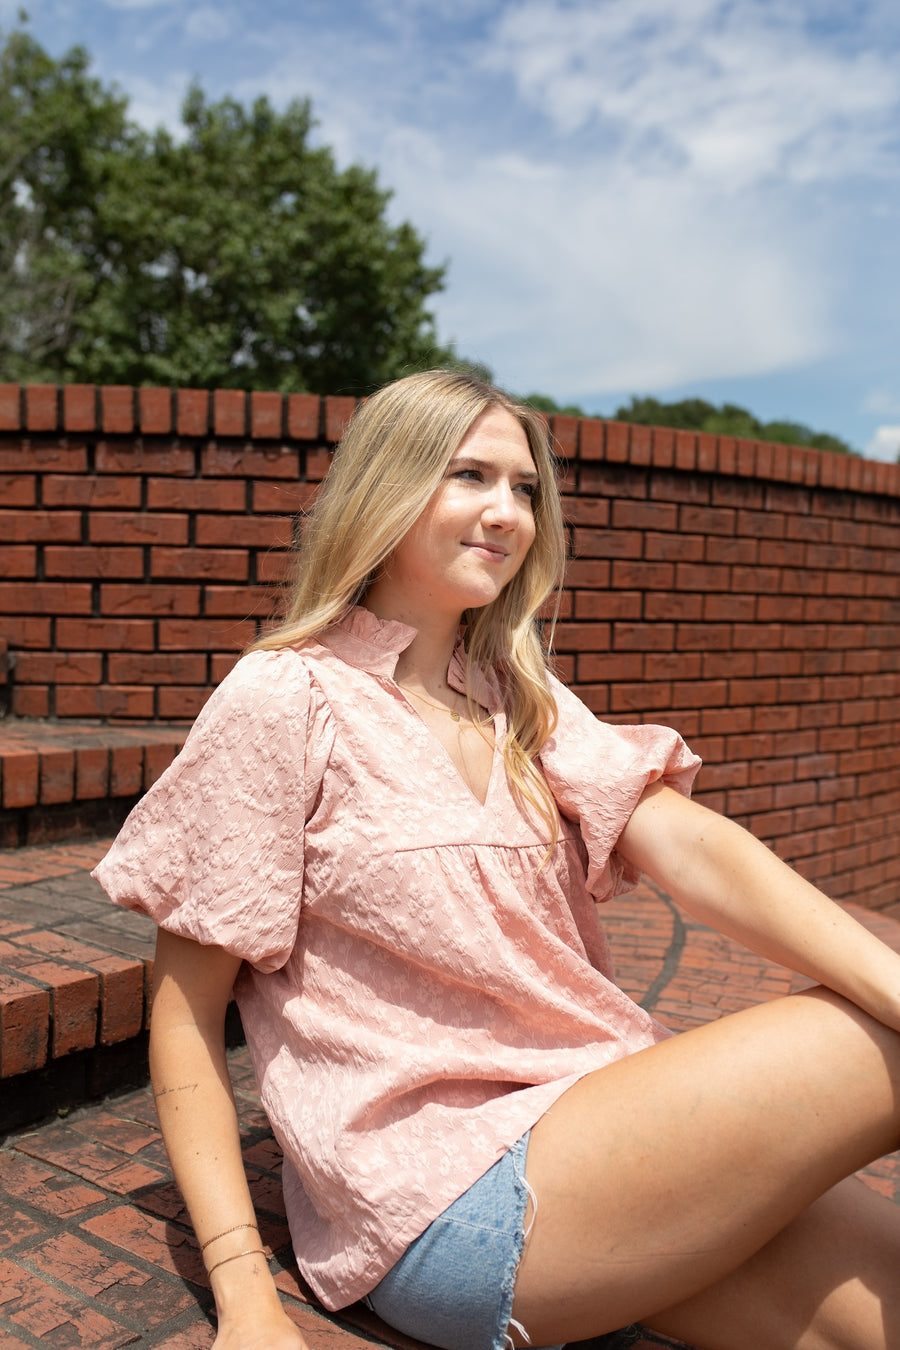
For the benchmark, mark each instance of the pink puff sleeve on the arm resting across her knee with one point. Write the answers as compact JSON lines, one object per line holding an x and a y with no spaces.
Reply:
{"x":598,"y":774}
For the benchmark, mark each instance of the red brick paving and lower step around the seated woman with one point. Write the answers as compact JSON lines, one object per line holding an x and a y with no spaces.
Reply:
{"x":95,"y":1245}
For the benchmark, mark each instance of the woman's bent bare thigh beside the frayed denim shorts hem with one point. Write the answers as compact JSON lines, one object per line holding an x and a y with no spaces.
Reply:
{"x":666,"y":1174}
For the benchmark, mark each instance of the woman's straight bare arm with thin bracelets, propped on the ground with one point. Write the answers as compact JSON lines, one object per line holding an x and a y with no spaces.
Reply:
{"x":196,"y":1108}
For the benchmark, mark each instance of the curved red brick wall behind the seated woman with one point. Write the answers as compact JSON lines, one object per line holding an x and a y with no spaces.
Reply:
{"x":746,"y":593}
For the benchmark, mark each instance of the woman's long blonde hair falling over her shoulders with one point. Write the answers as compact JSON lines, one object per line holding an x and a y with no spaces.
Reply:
{"x":387,"y":468}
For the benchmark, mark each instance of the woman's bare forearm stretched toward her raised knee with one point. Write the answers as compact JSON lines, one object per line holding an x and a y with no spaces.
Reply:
{"x":727,"y":878}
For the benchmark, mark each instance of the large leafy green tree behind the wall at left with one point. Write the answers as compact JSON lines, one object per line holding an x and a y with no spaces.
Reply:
{"x":235,"y":256}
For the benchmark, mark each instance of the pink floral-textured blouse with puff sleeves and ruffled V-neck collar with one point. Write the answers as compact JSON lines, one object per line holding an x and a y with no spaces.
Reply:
{"x":420,"y":981}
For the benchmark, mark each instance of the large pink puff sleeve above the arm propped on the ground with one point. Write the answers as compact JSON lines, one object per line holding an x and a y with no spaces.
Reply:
{"x":215,"y":851}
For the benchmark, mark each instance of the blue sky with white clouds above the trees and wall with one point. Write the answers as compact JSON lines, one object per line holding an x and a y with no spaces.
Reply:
{"x":666,"y":198}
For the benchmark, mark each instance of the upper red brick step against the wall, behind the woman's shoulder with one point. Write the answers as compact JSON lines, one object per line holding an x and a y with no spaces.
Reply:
{"x":72,"y":780}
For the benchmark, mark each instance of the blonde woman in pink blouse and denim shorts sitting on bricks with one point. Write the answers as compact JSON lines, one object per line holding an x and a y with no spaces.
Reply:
{"x":391,"y":843}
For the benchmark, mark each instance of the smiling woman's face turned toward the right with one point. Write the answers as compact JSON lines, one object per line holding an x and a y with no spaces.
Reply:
{"x":474,"y":535}
